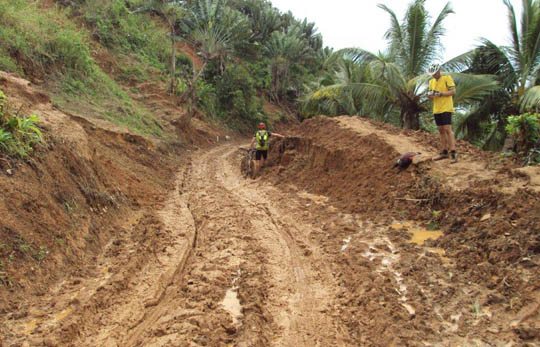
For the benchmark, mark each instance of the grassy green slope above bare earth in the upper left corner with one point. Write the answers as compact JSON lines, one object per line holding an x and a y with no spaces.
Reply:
{"x":46,"y":44}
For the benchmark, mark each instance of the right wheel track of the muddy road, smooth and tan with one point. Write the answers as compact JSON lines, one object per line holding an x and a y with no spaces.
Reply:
{"x":303,"y":300}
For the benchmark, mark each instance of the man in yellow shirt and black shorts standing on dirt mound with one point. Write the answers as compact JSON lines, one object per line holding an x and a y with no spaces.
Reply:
{"x":441,"y":90}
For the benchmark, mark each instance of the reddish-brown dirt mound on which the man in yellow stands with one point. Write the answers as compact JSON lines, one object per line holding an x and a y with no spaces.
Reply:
{"x":350,"y":160}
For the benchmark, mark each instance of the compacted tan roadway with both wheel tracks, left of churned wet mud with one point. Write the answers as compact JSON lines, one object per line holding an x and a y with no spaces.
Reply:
{"x":166,"y":278}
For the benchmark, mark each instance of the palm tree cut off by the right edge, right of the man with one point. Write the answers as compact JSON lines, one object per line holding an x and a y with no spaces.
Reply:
{"x":517,"y":69}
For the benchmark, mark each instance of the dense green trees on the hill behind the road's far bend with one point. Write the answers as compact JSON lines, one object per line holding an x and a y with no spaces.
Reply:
{"x":280,"y":53}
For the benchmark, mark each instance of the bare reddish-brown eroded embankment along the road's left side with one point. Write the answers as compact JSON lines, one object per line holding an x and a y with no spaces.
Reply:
{"x":62,"y":205}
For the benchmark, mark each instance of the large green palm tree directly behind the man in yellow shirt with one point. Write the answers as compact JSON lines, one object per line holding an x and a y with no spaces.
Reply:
{"x":399,"y":78}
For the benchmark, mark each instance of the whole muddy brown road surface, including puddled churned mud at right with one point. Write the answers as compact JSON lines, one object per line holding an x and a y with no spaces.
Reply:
{"x":232,"y":262}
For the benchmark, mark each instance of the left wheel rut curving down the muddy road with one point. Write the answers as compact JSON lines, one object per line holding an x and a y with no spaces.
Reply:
{"x":140,"y":304}
